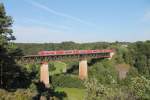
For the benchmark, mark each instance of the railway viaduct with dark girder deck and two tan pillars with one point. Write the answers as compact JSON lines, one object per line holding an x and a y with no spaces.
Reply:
{"x":81,"y":56}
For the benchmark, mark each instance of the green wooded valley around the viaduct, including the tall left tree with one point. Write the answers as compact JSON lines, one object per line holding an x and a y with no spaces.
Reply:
{"x":125,"y":77}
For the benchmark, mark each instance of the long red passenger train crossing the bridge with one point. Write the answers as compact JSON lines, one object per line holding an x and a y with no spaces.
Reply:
{"x":69,"y":52}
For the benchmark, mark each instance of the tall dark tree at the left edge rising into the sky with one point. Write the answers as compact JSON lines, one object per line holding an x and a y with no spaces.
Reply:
{"x":10,"y":73}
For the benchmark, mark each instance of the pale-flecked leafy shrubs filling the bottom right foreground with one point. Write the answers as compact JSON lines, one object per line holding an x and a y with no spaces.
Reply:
{"x":138,"y":89}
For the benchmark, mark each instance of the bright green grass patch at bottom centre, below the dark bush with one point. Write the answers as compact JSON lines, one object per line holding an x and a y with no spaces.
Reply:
{"x":72,"y":93}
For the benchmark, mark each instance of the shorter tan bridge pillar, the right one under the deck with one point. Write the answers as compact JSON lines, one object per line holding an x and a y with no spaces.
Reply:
{"x":83,"y":69}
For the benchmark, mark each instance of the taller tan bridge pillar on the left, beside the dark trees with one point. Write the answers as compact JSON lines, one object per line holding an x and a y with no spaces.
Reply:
{"x":44,"y":74}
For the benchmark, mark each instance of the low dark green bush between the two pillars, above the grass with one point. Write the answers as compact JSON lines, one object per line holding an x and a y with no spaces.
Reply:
{"x":67,"y":81}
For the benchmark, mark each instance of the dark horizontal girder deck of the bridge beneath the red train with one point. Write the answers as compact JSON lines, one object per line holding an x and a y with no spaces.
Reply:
{"x":45,"y":57}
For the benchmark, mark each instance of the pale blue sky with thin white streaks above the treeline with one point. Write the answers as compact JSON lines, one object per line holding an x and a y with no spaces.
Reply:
{"x":44,"y":21}
